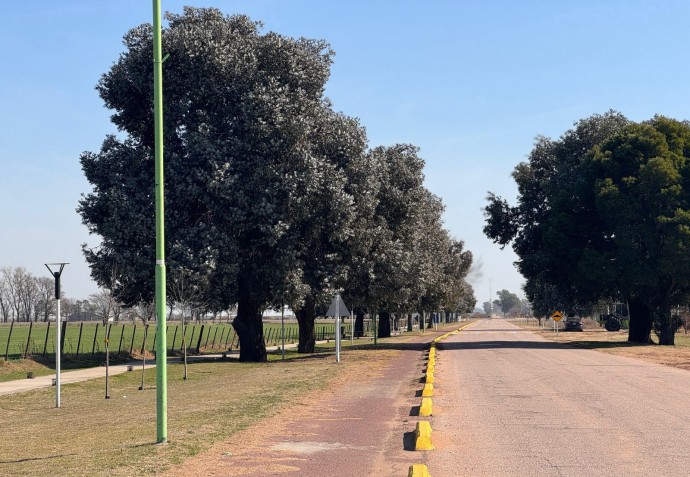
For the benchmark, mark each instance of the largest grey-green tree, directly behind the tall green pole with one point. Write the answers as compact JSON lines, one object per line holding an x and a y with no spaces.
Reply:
{"x":245,"y":154}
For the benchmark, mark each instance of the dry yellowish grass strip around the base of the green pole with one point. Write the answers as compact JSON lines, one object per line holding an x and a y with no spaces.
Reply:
{"x":89,"y":435}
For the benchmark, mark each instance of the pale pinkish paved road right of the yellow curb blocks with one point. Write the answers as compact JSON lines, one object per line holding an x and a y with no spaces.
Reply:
{"x":508,"y":403}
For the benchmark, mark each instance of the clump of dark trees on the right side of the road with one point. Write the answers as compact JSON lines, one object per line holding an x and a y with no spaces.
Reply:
{"x":603,"y":213}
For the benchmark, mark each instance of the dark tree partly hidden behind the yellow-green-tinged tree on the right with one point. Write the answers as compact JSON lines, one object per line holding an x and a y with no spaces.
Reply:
{"x":547,"y":229}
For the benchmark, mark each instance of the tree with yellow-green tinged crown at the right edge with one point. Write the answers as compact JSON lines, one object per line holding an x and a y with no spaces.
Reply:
{"x":640,"y":192}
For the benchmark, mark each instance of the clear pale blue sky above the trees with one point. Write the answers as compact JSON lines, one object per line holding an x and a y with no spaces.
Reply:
{"x":471,"y":83}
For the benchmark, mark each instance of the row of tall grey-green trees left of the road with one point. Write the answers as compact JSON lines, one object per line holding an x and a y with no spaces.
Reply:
{"x":273,"y":197}
